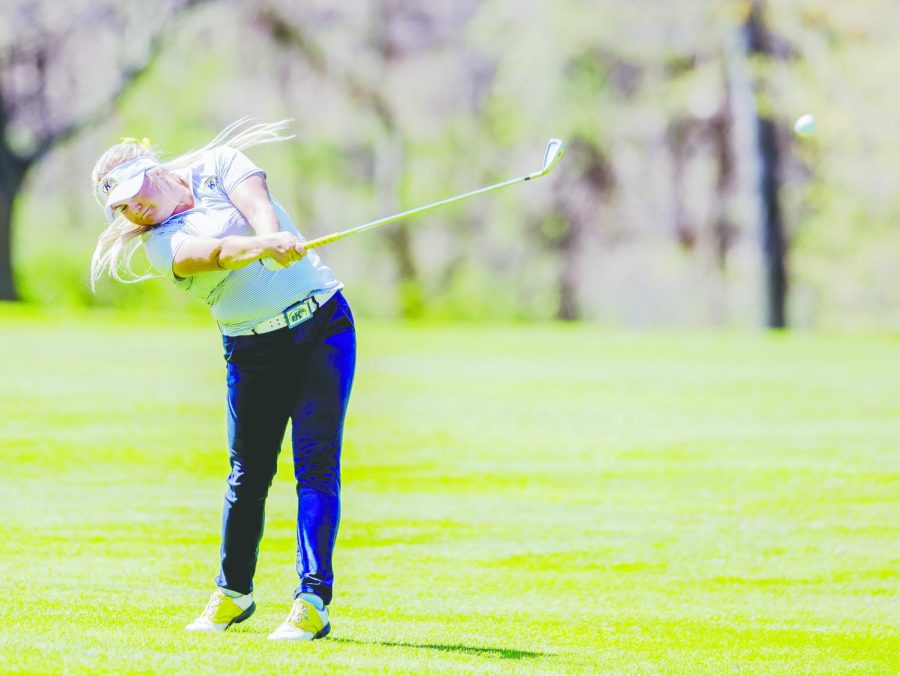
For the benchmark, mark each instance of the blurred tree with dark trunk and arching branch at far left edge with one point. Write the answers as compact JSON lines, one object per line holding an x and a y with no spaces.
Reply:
{"x":63,"y":68}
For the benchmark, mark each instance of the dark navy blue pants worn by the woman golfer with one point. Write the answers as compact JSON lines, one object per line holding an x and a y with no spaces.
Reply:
{"x":304,"y":375}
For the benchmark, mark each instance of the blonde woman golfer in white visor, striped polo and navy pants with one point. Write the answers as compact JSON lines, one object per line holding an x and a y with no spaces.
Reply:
{"x":207,"y":223}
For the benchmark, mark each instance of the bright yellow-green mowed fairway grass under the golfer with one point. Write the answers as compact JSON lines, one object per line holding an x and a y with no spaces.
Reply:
{"x":517,"y":498}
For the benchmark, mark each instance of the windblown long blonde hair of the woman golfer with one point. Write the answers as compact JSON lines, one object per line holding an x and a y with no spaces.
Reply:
{"x":118,"y":243}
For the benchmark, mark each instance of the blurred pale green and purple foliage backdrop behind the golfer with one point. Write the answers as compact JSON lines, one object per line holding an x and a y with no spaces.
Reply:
{"x":470,"y":94}
